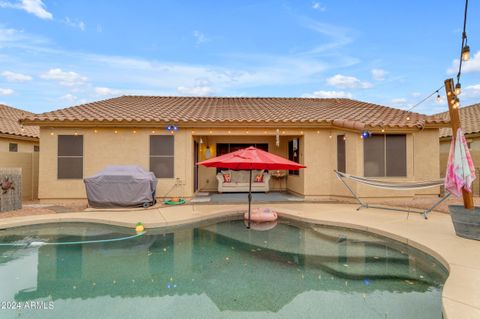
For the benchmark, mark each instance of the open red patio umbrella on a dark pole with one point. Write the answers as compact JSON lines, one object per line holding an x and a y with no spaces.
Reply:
{"x":251,"y":158}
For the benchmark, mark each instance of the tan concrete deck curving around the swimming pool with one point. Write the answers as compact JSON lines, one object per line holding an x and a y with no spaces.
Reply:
{"x":435,"y":236}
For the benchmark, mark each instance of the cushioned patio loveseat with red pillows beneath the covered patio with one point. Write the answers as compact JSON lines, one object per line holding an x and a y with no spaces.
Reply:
{"x":237,"y":181}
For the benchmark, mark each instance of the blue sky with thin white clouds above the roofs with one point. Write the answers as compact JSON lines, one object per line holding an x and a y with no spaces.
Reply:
{"x":58,"y":53}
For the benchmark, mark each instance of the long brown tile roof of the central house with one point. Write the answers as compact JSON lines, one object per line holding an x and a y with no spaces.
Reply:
{"x":162,"y":109}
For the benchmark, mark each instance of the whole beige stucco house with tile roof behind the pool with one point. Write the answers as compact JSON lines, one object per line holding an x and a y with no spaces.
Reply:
{"x":168,"y":135}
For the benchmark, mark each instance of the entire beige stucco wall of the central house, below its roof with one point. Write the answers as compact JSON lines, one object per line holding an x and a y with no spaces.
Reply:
{"x":317,"y":151}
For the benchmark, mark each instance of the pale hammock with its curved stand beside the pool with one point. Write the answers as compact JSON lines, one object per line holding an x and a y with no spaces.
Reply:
{"x":425,"y":212}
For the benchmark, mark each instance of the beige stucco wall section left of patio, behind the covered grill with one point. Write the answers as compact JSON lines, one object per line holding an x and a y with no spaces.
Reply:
{"x":109,"y":148}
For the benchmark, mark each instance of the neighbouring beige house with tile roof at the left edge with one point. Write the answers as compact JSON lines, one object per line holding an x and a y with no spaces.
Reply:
{"x":19,"y":147}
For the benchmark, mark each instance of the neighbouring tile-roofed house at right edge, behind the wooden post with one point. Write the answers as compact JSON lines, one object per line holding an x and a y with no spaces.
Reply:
{"x":470,"y":119}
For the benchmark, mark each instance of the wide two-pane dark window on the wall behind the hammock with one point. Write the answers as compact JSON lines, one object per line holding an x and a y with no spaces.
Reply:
{"x":385,"y":155}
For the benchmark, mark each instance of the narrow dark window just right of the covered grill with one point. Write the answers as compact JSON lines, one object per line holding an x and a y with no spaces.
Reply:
{"x":162,"y":155}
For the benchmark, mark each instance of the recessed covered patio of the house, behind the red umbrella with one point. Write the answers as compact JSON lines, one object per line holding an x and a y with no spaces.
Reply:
{"x":209,"y":144}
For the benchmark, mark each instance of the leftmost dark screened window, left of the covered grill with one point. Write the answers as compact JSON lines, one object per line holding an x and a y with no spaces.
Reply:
{"x":70,"y":157}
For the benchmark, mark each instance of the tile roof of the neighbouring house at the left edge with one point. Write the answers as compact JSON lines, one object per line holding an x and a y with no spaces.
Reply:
{"x":9,"y":117}
